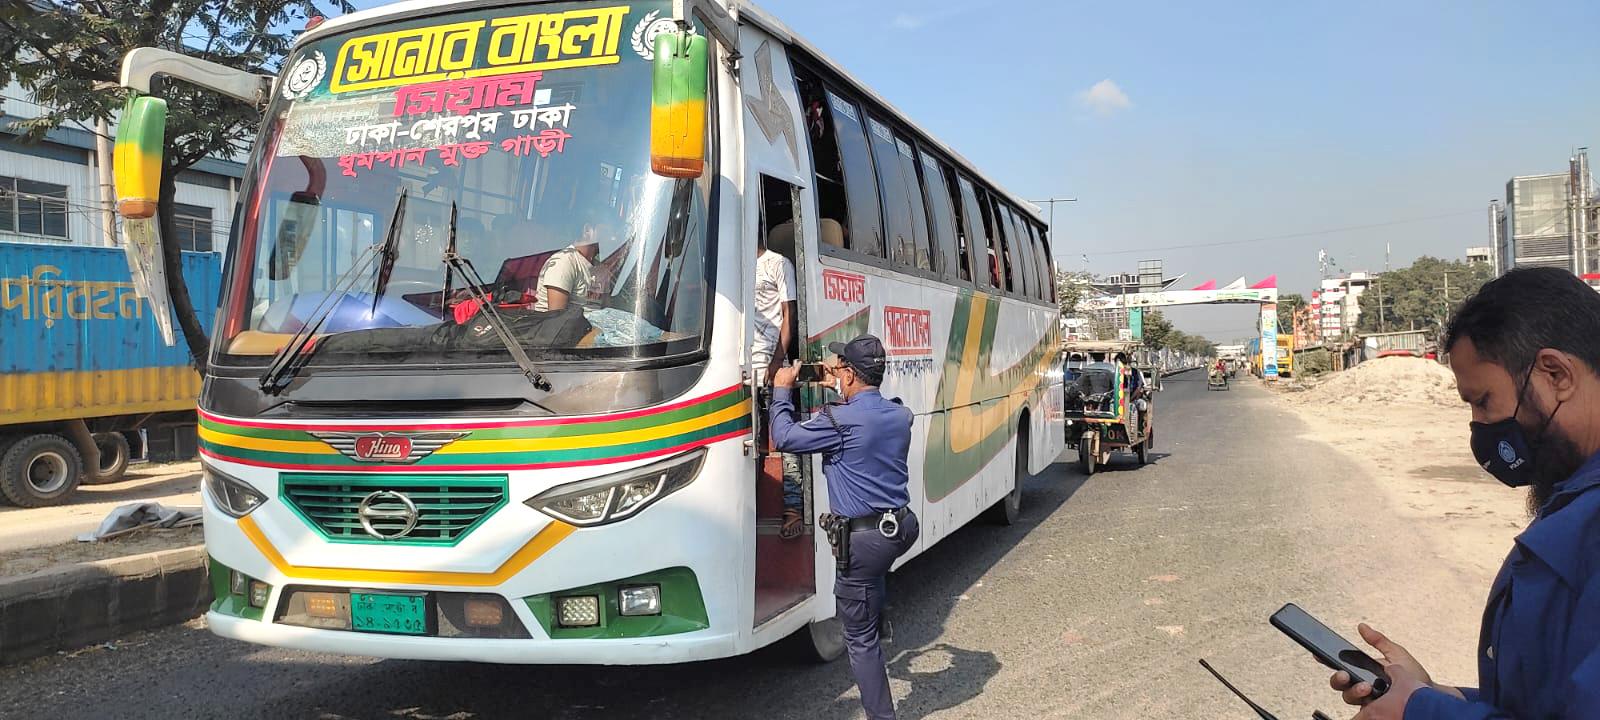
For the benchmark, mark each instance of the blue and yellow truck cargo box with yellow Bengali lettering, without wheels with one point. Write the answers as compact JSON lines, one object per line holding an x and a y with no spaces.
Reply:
{"x":78,"y":342}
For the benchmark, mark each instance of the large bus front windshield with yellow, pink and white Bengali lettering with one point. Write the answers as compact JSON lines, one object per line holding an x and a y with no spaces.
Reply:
{"x":519,"y":135}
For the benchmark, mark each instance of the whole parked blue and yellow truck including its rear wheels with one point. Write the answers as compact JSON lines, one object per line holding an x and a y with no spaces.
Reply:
{"x":84,"y":367}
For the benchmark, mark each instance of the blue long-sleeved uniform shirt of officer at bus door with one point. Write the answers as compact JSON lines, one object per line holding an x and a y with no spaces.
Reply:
{"x":863,"y":458}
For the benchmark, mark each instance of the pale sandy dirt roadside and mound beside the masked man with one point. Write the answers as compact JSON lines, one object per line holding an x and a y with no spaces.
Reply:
{"x":1401,"y":418}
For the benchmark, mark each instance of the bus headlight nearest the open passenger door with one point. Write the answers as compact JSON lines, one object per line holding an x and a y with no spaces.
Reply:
{"x":618,"y":497}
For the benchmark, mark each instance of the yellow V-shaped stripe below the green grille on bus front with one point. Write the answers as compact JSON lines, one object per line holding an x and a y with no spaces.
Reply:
{"x":537,"y":546}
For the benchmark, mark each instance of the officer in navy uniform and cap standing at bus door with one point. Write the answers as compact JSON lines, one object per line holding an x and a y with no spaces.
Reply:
{"x":865,"y":442}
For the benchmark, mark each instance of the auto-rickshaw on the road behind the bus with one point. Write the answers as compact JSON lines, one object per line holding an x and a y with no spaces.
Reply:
{"x":1110,"y":406}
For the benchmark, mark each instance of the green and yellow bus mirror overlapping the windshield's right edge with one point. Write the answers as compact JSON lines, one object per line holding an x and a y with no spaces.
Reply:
{"x":678,"y":106}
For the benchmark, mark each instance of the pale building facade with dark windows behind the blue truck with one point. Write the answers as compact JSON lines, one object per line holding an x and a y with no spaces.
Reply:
{"x":50,"y":190}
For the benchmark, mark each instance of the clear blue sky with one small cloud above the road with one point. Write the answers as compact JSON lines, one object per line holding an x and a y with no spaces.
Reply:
{"x":1183,"y":124}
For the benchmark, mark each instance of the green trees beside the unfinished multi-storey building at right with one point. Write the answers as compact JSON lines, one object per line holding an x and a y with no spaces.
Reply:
{"x":1422,"y":297}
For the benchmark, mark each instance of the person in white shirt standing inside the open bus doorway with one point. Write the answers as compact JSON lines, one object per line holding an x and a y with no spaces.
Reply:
{"x":775,"y":306}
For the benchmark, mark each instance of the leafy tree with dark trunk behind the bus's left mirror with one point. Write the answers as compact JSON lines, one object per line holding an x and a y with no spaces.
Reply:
{"x":68,"y":52}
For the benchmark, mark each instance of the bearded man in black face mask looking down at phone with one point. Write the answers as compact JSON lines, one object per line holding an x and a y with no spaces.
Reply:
{"x":1527,"y":358}
